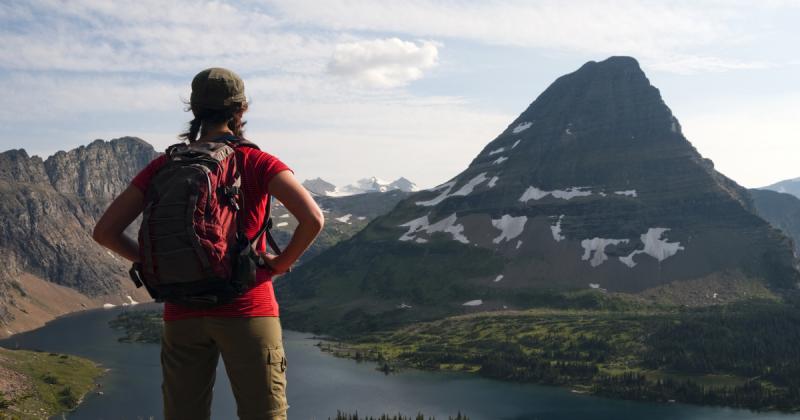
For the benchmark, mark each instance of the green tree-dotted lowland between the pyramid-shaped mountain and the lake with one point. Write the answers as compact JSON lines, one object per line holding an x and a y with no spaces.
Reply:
{"x":742,"y":355}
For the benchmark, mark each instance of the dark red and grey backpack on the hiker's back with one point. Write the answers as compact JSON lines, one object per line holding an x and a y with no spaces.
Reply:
{"x":192,"y":249}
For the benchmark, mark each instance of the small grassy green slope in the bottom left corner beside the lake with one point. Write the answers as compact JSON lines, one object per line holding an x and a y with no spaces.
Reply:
{"x":40,"y":385}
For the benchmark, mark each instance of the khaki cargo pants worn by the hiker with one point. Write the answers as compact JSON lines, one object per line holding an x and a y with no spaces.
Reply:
{"x":252,"y":351}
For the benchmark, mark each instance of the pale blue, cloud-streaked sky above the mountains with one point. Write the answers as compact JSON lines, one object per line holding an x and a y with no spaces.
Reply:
{"x":347,"y":89}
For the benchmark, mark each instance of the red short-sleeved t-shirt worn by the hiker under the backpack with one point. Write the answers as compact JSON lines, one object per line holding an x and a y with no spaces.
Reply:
{"x":257,"y":169}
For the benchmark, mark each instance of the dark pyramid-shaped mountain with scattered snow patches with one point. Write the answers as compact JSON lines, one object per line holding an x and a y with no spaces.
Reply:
{"x":593,"y":186}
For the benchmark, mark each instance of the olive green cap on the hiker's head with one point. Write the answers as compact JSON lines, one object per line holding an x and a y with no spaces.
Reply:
{"x":216,"y":88}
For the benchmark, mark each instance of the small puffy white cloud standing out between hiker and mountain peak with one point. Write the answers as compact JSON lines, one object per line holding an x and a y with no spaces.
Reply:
{"x":383,"y":63}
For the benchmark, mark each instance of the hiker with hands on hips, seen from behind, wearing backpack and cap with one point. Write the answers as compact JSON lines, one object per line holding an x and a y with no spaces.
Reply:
{"x":202,"y":249}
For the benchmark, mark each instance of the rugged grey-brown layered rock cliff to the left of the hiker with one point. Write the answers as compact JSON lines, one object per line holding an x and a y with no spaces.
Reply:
{"x":49,"y":209}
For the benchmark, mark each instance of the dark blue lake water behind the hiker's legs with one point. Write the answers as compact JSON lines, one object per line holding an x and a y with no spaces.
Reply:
{"x":320,"y":384}
